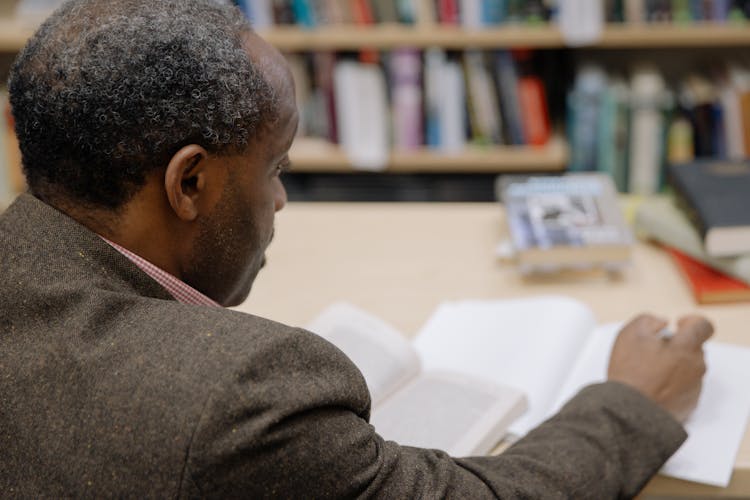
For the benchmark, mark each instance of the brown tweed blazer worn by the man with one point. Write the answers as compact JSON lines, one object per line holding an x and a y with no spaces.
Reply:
{"x":109,"y":388}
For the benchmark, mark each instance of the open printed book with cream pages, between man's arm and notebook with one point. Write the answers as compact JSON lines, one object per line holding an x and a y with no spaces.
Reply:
{"x":453,"y":411}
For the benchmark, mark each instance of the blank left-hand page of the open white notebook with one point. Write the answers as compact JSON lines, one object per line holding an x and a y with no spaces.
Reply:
{"x":529,"y":344}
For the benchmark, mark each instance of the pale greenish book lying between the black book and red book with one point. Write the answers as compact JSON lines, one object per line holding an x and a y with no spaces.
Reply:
{"x":659,"y":219}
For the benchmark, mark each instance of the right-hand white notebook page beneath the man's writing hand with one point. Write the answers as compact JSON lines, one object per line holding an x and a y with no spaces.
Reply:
{"x":715,"y":428}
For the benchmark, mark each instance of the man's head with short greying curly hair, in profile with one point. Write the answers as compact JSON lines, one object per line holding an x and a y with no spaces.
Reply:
{"x":161,"y":125}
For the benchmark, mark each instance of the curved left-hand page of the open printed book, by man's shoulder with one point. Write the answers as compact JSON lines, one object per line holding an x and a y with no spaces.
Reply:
{"x":385,"y":358}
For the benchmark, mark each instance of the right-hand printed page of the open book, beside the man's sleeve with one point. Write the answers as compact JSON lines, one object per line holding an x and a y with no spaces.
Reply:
{"x":458,"y":414}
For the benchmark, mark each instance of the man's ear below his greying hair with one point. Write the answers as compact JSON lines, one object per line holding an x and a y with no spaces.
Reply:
{"x":186,"y":180}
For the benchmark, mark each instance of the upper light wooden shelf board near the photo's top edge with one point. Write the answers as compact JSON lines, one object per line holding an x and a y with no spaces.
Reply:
{"x":13,"y":35}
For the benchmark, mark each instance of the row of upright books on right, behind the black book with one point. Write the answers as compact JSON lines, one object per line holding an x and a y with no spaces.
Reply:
{"x":631,"y":128}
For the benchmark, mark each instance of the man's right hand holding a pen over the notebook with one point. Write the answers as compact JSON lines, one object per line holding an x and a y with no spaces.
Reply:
{"x":669,"y":370}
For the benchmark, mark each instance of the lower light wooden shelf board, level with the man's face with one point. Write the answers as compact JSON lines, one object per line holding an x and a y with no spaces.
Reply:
{"x":312,"y":155}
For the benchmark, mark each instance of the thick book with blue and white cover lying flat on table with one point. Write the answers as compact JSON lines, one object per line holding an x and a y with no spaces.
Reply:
{"x":565,"y":222}
